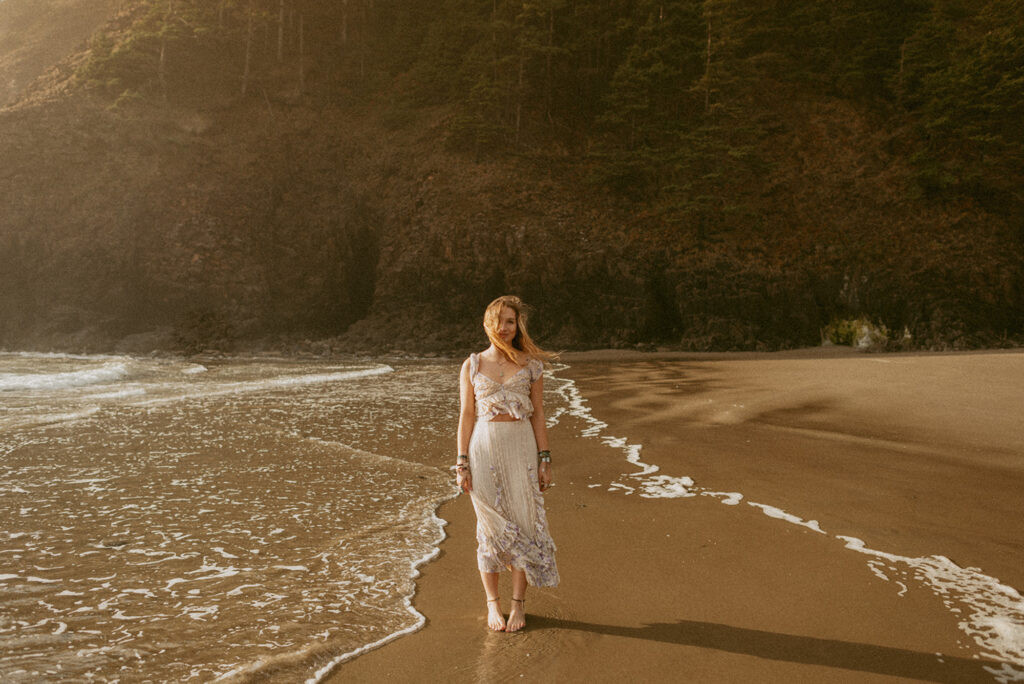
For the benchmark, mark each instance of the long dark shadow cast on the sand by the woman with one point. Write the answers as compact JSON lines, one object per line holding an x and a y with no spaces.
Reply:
{"x":792,"y":649}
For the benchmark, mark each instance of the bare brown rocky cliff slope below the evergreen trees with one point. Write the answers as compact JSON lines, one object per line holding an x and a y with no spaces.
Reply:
{"x":353,"y":225}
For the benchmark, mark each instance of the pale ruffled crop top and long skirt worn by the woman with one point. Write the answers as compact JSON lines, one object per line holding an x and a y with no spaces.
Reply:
{"x":511,"y":526}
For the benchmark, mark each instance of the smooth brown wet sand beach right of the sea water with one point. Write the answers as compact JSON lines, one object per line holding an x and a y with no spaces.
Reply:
{"x":918,"y":455}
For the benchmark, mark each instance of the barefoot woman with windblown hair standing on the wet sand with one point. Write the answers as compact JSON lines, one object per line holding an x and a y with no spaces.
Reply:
{"x":504,"y":463}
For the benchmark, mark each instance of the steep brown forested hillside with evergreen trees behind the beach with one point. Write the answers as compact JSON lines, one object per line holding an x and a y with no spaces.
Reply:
{"x":703,"y":175}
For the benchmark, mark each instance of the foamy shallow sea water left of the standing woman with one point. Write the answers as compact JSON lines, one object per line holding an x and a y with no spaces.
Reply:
{"x":169,"y":521}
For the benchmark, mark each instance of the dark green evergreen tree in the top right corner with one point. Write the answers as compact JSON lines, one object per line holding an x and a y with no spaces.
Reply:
{"x":965,"y":83}
